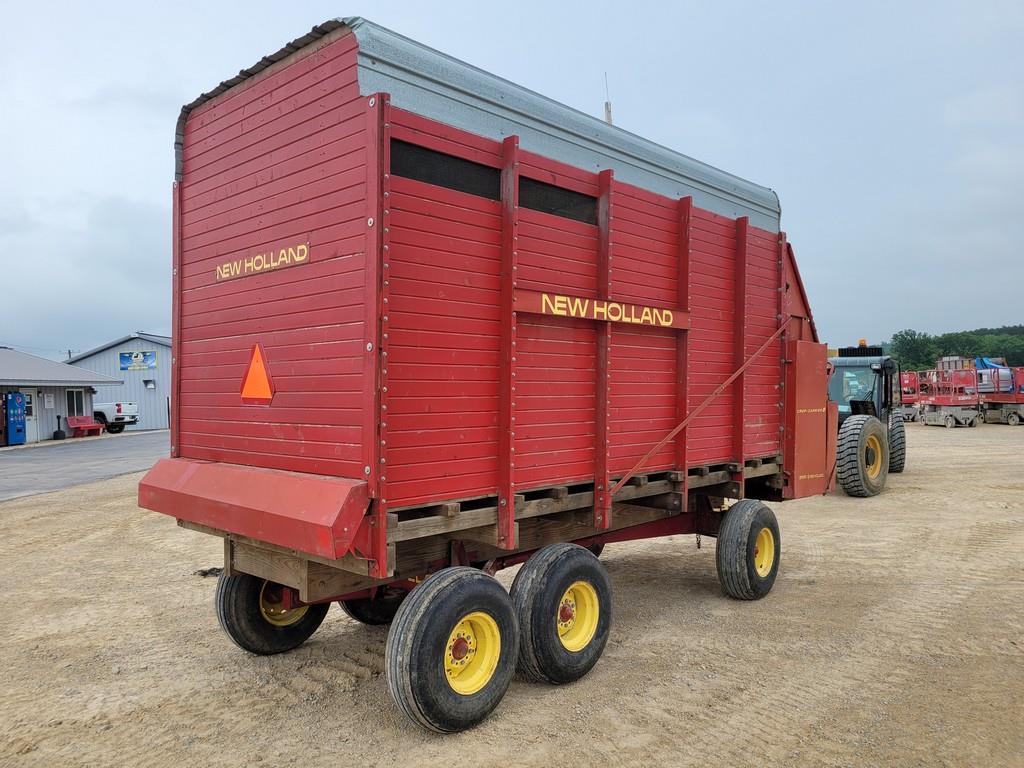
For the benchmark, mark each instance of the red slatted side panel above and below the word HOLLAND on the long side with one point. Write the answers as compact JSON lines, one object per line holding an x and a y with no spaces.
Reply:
{"x":645,"y":389}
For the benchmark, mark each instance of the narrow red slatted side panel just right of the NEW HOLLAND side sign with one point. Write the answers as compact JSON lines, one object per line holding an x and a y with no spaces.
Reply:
{"x":712,"y":347}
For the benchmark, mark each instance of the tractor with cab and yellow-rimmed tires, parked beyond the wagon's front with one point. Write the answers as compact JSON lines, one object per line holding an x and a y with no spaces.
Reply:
{"x":872,"y":443}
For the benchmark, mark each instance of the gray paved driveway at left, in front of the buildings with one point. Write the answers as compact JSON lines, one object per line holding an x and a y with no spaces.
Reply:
{"x":36,"y":471}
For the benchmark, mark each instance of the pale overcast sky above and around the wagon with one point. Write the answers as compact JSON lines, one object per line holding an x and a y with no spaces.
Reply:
{"x":893,"y":134}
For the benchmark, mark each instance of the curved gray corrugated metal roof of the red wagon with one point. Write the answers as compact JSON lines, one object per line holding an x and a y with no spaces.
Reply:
{"x":428,"y":82}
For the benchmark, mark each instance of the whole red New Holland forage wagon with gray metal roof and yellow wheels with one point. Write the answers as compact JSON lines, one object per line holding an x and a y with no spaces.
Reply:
{"x":430,"y":325}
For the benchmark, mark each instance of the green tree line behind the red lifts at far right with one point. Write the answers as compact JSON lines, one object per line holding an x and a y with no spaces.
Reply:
{"x":919,"y":352}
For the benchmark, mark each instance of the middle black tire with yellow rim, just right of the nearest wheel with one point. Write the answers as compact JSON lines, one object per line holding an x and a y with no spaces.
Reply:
{"x":556,"y":595}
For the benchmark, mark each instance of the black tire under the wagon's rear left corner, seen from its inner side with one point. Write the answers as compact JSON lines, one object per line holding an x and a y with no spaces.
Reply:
{"x":241,"y":602}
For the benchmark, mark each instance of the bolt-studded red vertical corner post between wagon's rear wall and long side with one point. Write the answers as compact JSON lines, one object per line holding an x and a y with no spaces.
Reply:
{"x":376,"y":326}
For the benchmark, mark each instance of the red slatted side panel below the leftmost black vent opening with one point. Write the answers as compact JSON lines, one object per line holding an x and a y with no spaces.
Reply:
{"x":444,"y":345}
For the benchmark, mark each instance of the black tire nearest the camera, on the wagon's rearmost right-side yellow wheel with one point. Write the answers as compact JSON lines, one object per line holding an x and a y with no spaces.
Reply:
{"x":418,"y":650}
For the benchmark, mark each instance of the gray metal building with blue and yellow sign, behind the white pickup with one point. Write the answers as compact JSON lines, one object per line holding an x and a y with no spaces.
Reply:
{"x":143,"y":362}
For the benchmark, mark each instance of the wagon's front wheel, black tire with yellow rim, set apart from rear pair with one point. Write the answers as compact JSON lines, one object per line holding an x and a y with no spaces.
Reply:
{"x":747,"y":569}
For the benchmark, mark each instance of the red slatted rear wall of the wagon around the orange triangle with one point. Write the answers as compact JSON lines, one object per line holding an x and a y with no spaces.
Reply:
{"x":277,"y":162}
